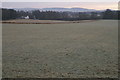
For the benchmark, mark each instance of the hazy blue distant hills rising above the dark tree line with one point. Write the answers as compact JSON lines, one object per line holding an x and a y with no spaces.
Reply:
{"x":57,"y":9}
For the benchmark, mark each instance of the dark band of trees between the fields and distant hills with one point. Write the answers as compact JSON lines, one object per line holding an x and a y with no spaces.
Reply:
{"x":8,"y":14}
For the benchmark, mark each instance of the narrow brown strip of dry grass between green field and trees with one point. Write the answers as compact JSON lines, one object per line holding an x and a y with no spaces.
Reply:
{"x":30,"y":21}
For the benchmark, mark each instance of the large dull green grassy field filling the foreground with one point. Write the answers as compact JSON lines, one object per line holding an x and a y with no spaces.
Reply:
{"x":77,"y":50}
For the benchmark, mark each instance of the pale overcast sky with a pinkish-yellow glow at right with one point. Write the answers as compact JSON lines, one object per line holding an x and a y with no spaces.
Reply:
{"x":89,"y":5}
